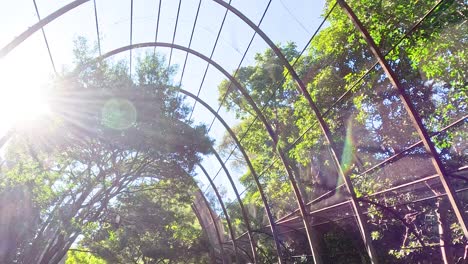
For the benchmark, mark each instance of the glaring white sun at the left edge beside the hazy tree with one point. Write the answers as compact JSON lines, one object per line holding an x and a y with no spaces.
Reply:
{"x":23,"y":97}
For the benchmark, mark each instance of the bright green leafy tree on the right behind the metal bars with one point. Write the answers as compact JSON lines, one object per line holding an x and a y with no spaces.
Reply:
{"x":369,"y":123}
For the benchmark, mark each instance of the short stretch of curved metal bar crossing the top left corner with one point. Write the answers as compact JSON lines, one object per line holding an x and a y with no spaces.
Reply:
{"x":39,"y":25}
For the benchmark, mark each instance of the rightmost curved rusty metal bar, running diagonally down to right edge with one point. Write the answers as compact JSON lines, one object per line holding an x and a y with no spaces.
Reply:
{"x":414,"y":116}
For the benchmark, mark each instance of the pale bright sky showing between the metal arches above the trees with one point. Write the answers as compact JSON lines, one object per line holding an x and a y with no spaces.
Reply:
{"x":27,"y":69}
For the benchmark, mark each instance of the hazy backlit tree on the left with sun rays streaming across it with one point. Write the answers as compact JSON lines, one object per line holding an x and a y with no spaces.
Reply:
{"x":109,"y":134}
